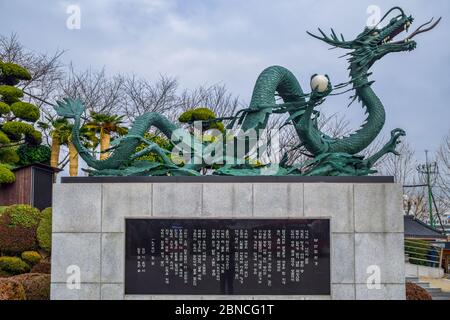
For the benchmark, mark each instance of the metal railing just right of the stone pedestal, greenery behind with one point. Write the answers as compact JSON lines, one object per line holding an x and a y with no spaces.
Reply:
{"x":423,"y":253}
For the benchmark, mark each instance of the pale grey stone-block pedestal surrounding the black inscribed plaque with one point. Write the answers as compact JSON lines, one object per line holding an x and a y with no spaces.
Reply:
{"x":366,"y":226}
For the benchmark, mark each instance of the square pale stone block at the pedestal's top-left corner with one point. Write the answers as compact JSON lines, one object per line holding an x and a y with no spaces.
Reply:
{"x":77,"y":207}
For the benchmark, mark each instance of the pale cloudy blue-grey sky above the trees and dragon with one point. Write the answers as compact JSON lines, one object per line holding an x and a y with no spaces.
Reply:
{"x":231,"y":41}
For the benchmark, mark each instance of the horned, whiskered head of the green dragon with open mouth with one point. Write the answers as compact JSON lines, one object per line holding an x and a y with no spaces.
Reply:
{"x":374,"y":42}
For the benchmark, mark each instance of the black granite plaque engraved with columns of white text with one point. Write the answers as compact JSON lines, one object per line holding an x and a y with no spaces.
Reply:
{"x":228,"y":256}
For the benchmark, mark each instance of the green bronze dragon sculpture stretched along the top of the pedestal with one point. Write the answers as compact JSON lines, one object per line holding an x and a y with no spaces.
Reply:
{"x":329,"y":156}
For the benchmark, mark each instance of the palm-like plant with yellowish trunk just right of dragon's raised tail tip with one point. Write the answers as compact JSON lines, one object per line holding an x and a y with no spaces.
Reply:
{"x":106,"y":125}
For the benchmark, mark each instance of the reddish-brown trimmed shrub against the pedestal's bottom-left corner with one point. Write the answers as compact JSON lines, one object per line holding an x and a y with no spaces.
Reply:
{"x":36,"y":285}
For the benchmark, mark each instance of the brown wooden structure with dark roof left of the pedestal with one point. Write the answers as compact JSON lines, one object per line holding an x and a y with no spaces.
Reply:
{"x":33,"y":186}
